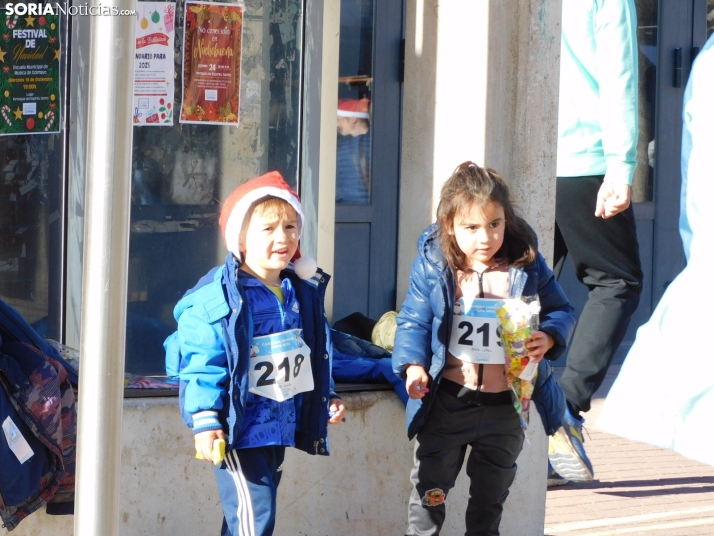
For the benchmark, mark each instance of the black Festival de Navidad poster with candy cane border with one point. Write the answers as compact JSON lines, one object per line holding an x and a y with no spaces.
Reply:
{"x":29,"y":73}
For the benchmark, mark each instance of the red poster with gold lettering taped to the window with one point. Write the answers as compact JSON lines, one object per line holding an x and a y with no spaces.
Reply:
{"x":211,"y":63}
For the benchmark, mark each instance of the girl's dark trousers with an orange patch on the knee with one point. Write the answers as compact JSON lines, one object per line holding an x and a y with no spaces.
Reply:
{"x":496,"y":439}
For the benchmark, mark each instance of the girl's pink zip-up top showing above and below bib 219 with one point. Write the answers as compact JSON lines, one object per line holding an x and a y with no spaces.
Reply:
{"x":495,"y":285}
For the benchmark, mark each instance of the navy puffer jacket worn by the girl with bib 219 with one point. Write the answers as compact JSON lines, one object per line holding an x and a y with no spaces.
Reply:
{"x":423,"y":324}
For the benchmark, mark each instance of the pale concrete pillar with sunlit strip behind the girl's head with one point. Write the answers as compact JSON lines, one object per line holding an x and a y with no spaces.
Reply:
{"x":481,"y":84}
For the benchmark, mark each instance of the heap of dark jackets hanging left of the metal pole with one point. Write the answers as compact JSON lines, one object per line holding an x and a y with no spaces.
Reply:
{"x":38,"y":415}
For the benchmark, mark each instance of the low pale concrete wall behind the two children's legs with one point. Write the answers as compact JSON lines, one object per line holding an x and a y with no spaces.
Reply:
{"x":361,"y":489}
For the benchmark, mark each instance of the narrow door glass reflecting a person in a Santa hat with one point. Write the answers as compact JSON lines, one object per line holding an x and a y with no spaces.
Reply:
{"x":354,"y":142}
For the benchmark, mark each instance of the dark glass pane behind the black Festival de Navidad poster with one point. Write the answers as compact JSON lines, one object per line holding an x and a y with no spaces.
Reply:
{"x":32,"y":216}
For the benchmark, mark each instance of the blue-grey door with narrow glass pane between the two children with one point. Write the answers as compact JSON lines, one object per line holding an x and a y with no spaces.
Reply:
{"x":367,"y":174}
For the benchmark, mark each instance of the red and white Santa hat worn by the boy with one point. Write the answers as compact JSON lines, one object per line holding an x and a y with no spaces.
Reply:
{"x":239,"y":202}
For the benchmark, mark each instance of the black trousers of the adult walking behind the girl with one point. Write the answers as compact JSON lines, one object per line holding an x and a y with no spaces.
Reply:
{"x":605,"y":256}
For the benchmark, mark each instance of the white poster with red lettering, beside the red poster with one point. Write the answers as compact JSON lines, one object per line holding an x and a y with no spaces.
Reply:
{"x":154,"y":64}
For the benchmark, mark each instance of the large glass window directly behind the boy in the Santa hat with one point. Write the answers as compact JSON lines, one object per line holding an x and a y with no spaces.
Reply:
{"x":183,"y":172}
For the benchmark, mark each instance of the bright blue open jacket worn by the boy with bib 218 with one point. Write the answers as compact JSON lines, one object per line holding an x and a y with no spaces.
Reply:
{"x":210,"y":352}
